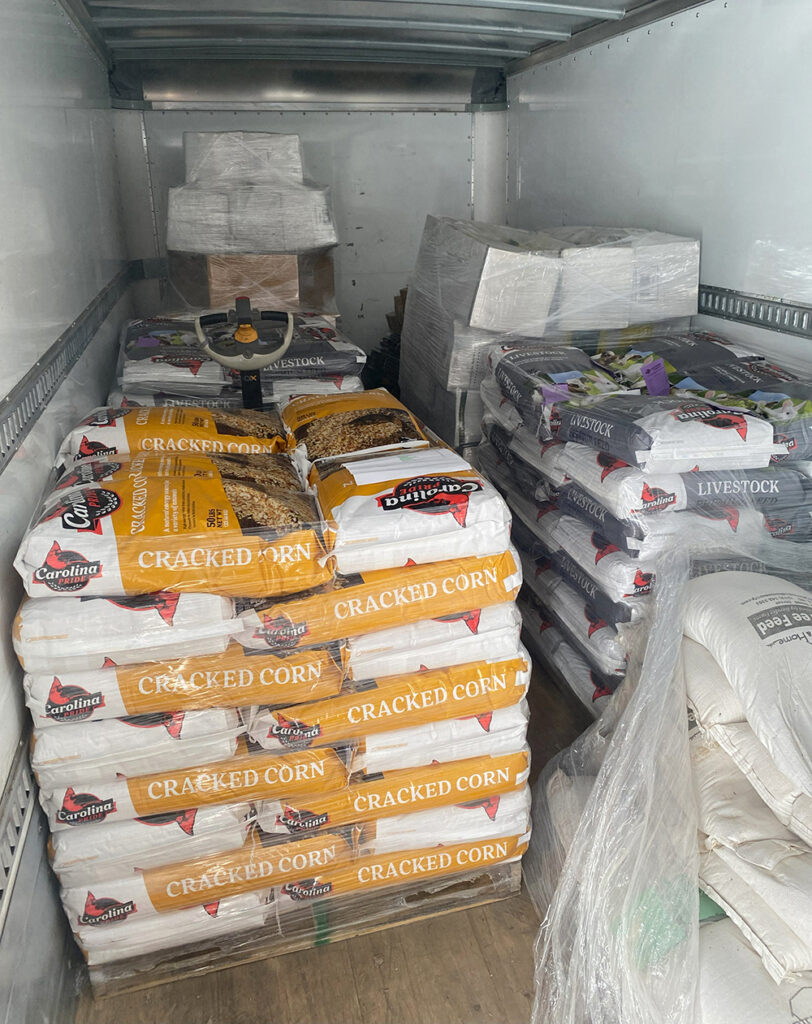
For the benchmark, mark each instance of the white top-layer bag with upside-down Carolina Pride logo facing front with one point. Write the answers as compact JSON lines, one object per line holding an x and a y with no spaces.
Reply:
{"x":421,"y":506}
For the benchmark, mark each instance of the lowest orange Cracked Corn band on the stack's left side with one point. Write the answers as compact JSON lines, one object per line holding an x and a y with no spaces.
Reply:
{"x":195,"y":882}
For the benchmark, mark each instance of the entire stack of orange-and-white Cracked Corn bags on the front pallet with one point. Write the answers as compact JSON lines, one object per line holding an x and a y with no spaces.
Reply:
{"x":268,"y":662}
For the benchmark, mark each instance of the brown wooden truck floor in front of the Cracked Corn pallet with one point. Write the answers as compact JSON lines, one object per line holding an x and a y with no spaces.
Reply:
{"x":471,"y":967}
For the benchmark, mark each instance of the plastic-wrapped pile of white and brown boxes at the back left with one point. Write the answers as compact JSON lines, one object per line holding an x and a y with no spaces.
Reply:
{"x":246,"y":224}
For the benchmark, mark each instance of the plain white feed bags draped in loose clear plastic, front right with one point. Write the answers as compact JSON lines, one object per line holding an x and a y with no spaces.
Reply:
{"x":615,"y":865}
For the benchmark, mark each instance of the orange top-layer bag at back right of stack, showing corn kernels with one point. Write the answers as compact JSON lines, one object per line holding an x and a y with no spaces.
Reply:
{"x":323,"y":428}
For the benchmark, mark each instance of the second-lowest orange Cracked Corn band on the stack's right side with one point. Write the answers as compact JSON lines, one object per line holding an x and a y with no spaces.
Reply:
{"x":406,"y":792}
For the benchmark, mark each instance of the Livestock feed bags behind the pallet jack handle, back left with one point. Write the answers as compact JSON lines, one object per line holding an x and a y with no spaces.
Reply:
{"x":161,"y":363}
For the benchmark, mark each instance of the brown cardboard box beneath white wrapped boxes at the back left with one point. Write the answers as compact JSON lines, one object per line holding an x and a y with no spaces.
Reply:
{"x":296,"y":283}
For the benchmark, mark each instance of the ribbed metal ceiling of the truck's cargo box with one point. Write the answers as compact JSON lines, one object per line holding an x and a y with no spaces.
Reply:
{"x":498,"y":34}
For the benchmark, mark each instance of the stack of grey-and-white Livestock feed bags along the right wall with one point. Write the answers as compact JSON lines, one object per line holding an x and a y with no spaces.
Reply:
{"x":604,"y":479}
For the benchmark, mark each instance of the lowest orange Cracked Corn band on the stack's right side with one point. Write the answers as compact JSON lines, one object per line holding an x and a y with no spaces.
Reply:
{"x":401,"y":869}
